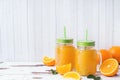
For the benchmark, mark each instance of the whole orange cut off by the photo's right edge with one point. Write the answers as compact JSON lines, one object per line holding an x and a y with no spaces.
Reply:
{"x":115,"y":51}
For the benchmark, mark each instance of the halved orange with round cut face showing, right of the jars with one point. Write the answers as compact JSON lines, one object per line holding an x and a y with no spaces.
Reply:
{"x":109,"y":67}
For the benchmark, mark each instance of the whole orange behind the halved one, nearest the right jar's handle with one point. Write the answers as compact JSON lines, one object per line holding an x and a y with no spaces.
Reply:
{"x":105,"y":54}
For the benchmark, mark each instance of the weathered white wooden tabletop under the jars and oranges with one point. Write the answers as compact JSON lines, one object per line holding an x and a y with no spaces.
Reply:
{"x":28,"y":71}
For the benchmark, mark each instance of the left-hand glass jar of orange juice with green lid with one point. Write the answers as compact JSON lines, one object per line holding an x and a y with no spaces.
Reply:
{"x":65,"y":52}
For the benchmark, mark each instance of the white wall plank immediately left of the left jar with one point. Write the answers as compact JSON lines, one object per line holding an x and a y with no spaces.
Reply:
{"x":48,"y":28}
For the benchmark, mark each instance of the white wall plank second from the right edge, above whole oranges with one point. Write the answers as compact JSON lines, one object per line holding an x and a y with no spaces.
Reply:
{"x":109,"y":23}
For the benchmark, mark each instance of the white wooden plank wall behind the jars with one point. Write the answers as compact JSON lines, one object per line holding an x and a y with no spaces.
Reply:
{"x":29,"y":28}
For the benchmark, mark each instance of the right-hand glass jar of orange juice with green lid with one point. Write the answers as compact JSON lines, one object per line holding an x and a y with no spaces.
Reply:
{"x":86,"y":58}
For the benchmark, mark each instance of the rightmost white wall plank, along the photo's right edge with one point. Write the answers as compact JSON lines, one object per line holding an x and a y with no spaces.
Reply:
{"x":116,"y":27}
